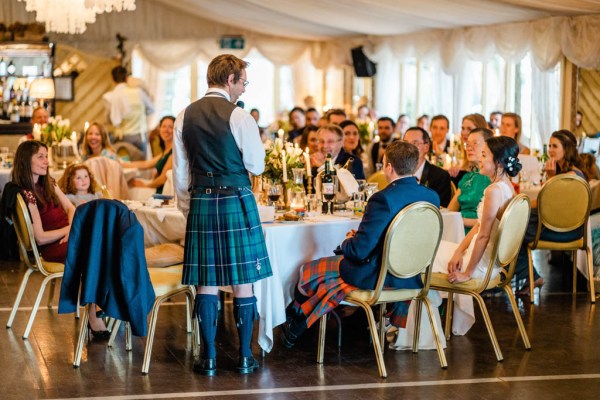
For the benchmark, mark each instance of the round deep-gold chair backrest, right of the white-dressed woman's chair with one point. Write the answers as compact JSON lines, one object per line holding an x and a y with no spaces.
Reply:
{"x":564,"y":203}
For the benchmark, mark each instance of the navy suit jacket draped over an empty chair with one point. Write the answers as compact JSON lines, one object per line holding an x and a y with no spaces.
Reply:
{"x":106,"y":255}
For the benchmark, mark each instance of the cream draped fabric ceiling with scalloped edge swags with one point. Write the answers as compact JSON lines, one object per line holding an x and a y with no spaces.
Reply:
{"x":172,"y":33}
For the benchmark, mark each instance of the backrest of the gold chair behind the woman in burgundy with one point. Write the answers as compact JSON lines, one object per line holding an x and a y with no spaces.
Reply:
{"x":24,"y":229}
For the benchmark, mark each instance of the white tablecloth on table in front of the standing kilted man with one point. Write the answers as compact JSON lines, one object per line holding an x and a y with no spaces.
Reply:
{"x":289,"y":244}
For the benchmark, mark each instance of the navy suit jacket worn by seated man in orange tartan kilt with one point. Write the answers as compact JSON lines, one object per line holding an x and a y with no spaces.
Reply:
{"x":363,"y":252}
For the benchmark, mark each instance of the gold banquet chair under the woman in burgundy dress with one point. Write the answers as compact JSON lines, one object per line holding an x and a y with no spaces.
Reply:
{"x":34,"y":263}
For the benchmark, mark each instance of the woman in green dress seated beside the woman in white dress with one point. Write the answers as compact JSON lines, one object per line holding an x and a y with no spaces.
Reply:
{"x":471,"y":186}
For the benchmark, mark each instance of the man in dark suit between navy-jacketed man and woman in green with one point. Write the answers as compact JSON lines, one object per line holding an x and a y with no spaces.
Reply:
{"x":426,"y":173}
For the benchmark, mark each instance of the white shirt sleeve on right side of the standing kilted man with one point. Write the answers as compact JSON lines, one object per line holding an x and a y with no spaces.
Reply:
{"x":246,"y":135}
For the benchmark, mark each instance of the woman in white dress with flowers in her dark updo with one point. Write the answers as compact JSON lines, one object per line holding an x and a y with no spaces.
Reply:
{"x":470,"y":259}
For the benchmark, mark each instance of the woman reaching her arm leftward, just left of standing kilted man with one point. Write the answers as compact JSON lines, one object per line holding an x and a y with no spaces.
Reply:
{"x":162,"y":162}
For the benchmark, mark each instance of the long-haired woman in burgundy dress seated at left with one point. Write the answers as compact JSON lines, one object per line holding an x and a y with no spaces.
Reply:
{"x":51,"y":212}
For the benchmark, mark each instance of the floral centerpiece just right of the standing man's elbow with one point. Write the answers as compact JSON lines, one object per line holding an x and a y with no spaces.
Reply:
{"x":280,"y":159}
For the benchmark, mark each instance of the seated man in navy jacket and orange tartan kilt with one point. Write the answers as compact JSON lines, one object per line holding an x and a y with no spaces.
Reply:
{"x":325,"y":282}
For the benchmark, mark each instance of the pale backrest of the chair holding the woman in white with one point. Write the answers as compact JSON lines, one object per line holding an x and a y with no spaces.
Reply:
{"x":511,"y":232}
